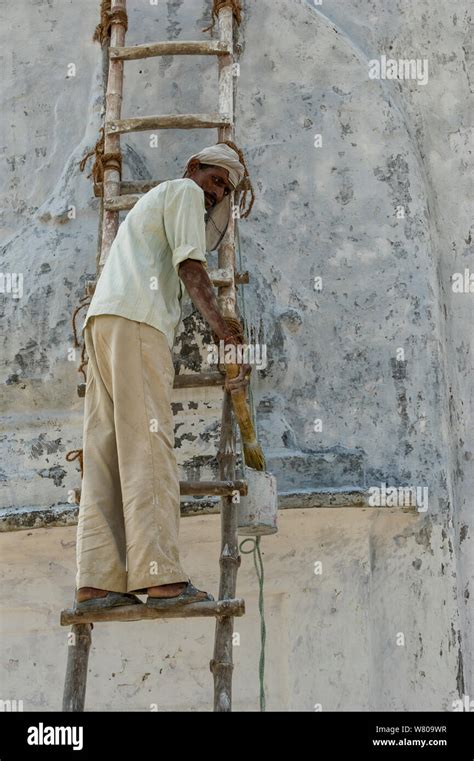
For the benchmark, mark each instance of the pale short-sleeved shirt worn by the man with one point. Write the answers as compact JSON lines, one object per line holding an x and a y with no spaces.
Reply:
{"x":140,"y":277}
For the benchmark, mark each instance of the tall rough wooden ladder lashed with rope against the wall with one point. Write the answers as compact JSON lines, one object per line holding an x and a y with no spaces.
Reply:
{"x":118,"y":196}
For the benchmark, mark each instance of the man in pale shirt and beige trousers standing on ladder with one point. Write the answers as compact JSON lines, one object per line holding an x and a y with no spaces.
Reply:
{"x":127,"y":536}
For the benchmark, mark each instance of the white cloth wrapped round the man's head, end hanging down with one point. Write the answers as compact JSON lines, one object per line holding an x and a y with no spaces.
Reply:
{"x":217,"y":219}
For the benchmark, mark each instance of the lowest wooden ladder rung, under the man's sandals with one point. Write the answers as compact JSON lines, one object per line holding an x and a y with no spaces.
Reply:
{"x":217,"y":609}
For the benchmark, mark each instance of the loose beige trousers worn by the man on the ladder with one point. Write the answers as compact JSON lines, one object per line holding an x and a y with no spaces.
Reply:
{"x":127,"y":534}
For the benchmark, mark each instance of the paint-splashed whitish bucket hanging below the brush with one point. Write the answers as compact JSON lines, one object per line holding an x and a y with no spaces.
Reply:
{"x":257,"y":511}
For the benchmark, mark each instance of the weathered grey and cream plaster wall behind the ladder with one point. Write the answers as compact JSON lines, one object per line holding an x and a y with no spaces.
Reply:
{"x":379,"y":350}
